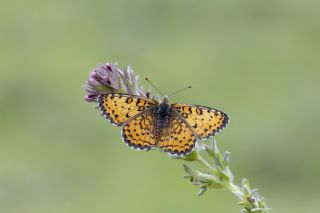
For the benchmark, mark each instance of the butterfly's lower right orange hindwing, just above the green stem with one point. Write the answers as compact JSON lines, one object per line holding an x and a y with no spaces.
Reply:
{"x":177,"y":138}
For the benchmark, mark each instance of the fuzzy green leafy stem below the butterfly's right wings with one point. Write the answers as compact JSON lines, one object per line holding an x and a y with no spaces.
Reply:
{"x":216,"y":174}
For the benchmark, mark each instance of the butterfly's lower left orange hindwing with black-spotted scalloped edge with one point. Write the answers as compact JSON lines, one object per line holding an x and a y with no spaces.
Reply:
{"x":138,"y":133}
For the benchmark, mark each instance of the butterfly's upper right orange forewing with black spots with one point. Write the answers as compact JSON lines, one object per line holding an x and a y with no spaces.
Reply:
{"x":205,"y":121}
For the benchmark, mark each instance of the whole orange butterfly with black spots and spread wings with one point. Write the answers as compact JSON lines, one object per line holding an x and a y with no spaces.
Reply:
{"x":148,"y":124}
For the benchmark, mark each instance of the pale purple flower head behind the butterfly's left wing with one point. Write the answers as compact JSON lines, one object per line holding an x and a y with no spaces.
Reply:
{"x":108,"y":78}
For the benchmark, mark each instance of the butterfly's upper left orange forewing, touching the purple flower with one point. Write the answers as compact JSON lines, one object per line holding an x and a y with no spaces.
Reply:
{"x":119,"y":108}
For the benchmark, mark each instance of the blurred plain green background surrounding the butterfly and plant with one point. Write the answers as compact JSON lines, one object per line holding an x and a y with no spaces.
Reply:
{"x":256,"y":60}
